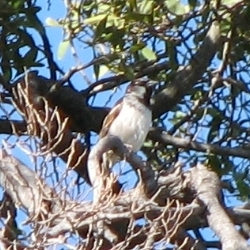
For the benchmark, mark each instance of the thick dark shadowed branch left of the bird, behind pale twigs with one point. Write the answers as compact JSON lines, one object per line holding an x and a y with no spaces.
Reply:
{"x":71,"y":103}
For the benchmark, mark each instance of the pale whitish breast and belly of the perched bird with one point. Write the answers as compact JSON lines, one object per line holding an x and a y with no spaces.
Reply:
{"x":132,"y":125}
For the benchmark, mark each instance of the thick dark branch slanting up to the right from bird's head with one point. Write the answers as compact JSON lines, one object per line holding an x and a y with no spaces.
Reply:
{"x":186,"y":77}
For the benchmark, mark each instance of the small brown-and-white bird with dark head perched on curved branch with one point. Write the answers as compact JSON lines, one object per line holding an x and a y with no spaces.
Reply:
{"x":130,"y":119}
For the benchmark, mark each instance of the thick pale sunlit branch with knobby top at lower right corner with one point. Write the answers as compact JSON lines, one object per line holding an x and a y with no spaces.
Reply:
{"x":207,"y":187}
